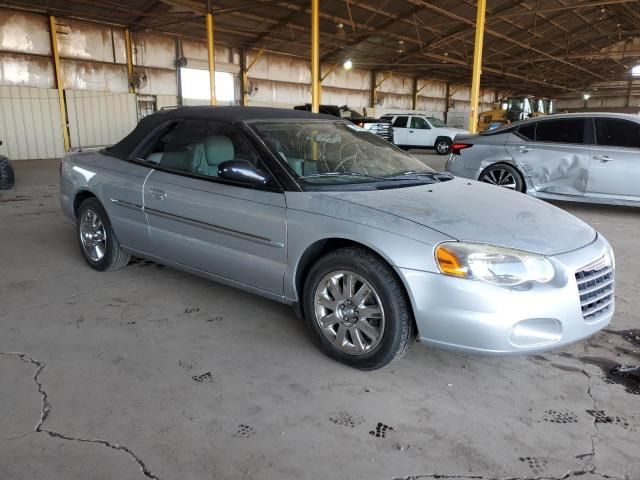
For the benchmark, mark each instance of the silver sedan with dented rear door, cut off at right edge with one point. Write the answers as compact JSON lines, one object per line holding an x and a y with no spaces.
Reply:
{"x":586,"y":157}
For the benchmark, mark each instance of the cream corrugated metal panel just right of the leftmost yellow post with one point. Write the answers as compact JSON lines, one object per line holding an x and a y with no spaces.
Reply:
{"x":98,"y":118}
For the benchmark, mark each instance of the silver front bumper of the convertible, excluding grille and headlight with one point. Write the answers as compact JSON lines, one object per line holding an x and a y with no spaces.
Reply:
{"x":474,"y":316}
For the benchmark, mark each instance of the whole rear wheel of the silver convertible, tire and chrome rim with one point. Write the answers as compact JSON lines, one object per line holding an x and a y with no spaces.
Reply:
{"x":98,"y":243}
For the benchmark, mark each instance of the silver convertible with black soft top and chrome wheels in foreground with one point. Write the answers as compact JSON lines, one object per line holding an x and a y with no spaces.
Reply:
{"x":371,"y":246}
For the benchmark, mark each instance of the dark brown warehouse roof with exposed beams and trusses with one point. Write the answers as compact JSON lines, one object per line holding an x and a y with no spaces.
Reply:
{"x":545,"y":46}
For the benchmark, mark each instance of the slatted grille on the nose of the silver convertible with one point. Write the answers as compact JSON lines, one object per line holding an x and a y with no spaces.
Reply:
{"x":595,"y":286}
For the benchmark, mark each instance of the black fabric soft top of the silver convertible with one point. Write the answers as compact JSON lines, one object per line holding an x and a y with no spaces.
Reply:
{"x":230,"y":115}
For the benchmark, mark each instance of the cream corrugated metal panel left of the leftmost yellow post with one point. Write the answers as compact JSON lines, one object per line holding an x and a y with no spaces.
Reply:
{"x":30,"y":125}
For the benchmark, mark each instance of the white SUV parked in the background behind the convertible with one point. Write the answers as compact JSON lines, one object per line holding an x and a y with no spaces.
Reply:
{"x":420,"y":131}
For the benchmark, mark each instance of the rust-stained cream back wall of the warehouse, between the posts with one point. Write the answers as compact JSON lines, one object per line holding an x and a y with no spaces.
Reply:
{"x":101,"y":110}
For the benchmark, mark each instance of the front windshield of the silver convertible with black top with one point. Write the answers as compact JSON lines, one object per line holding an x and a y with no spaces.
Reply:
{"x":334,"y":153}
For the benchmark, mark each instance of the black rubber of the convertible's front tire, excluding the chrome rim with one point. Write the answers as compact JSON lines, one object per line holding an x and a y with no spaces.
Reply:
{"x":399,"y":330}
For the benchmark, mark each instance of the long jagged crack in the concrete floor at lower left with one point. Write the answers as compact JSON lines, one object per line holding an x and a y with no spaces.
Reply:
{"x":45,"y":409}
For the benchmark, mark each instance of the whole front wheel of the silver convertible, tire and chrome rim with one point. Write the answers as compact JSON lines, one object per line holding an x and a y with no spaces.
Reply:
{"x":357,"y":309}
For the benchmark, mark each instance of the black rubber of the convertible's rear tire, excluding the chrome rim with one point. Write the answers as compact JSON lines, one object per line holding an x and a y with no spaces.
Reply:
{"x":114,"y":257}
